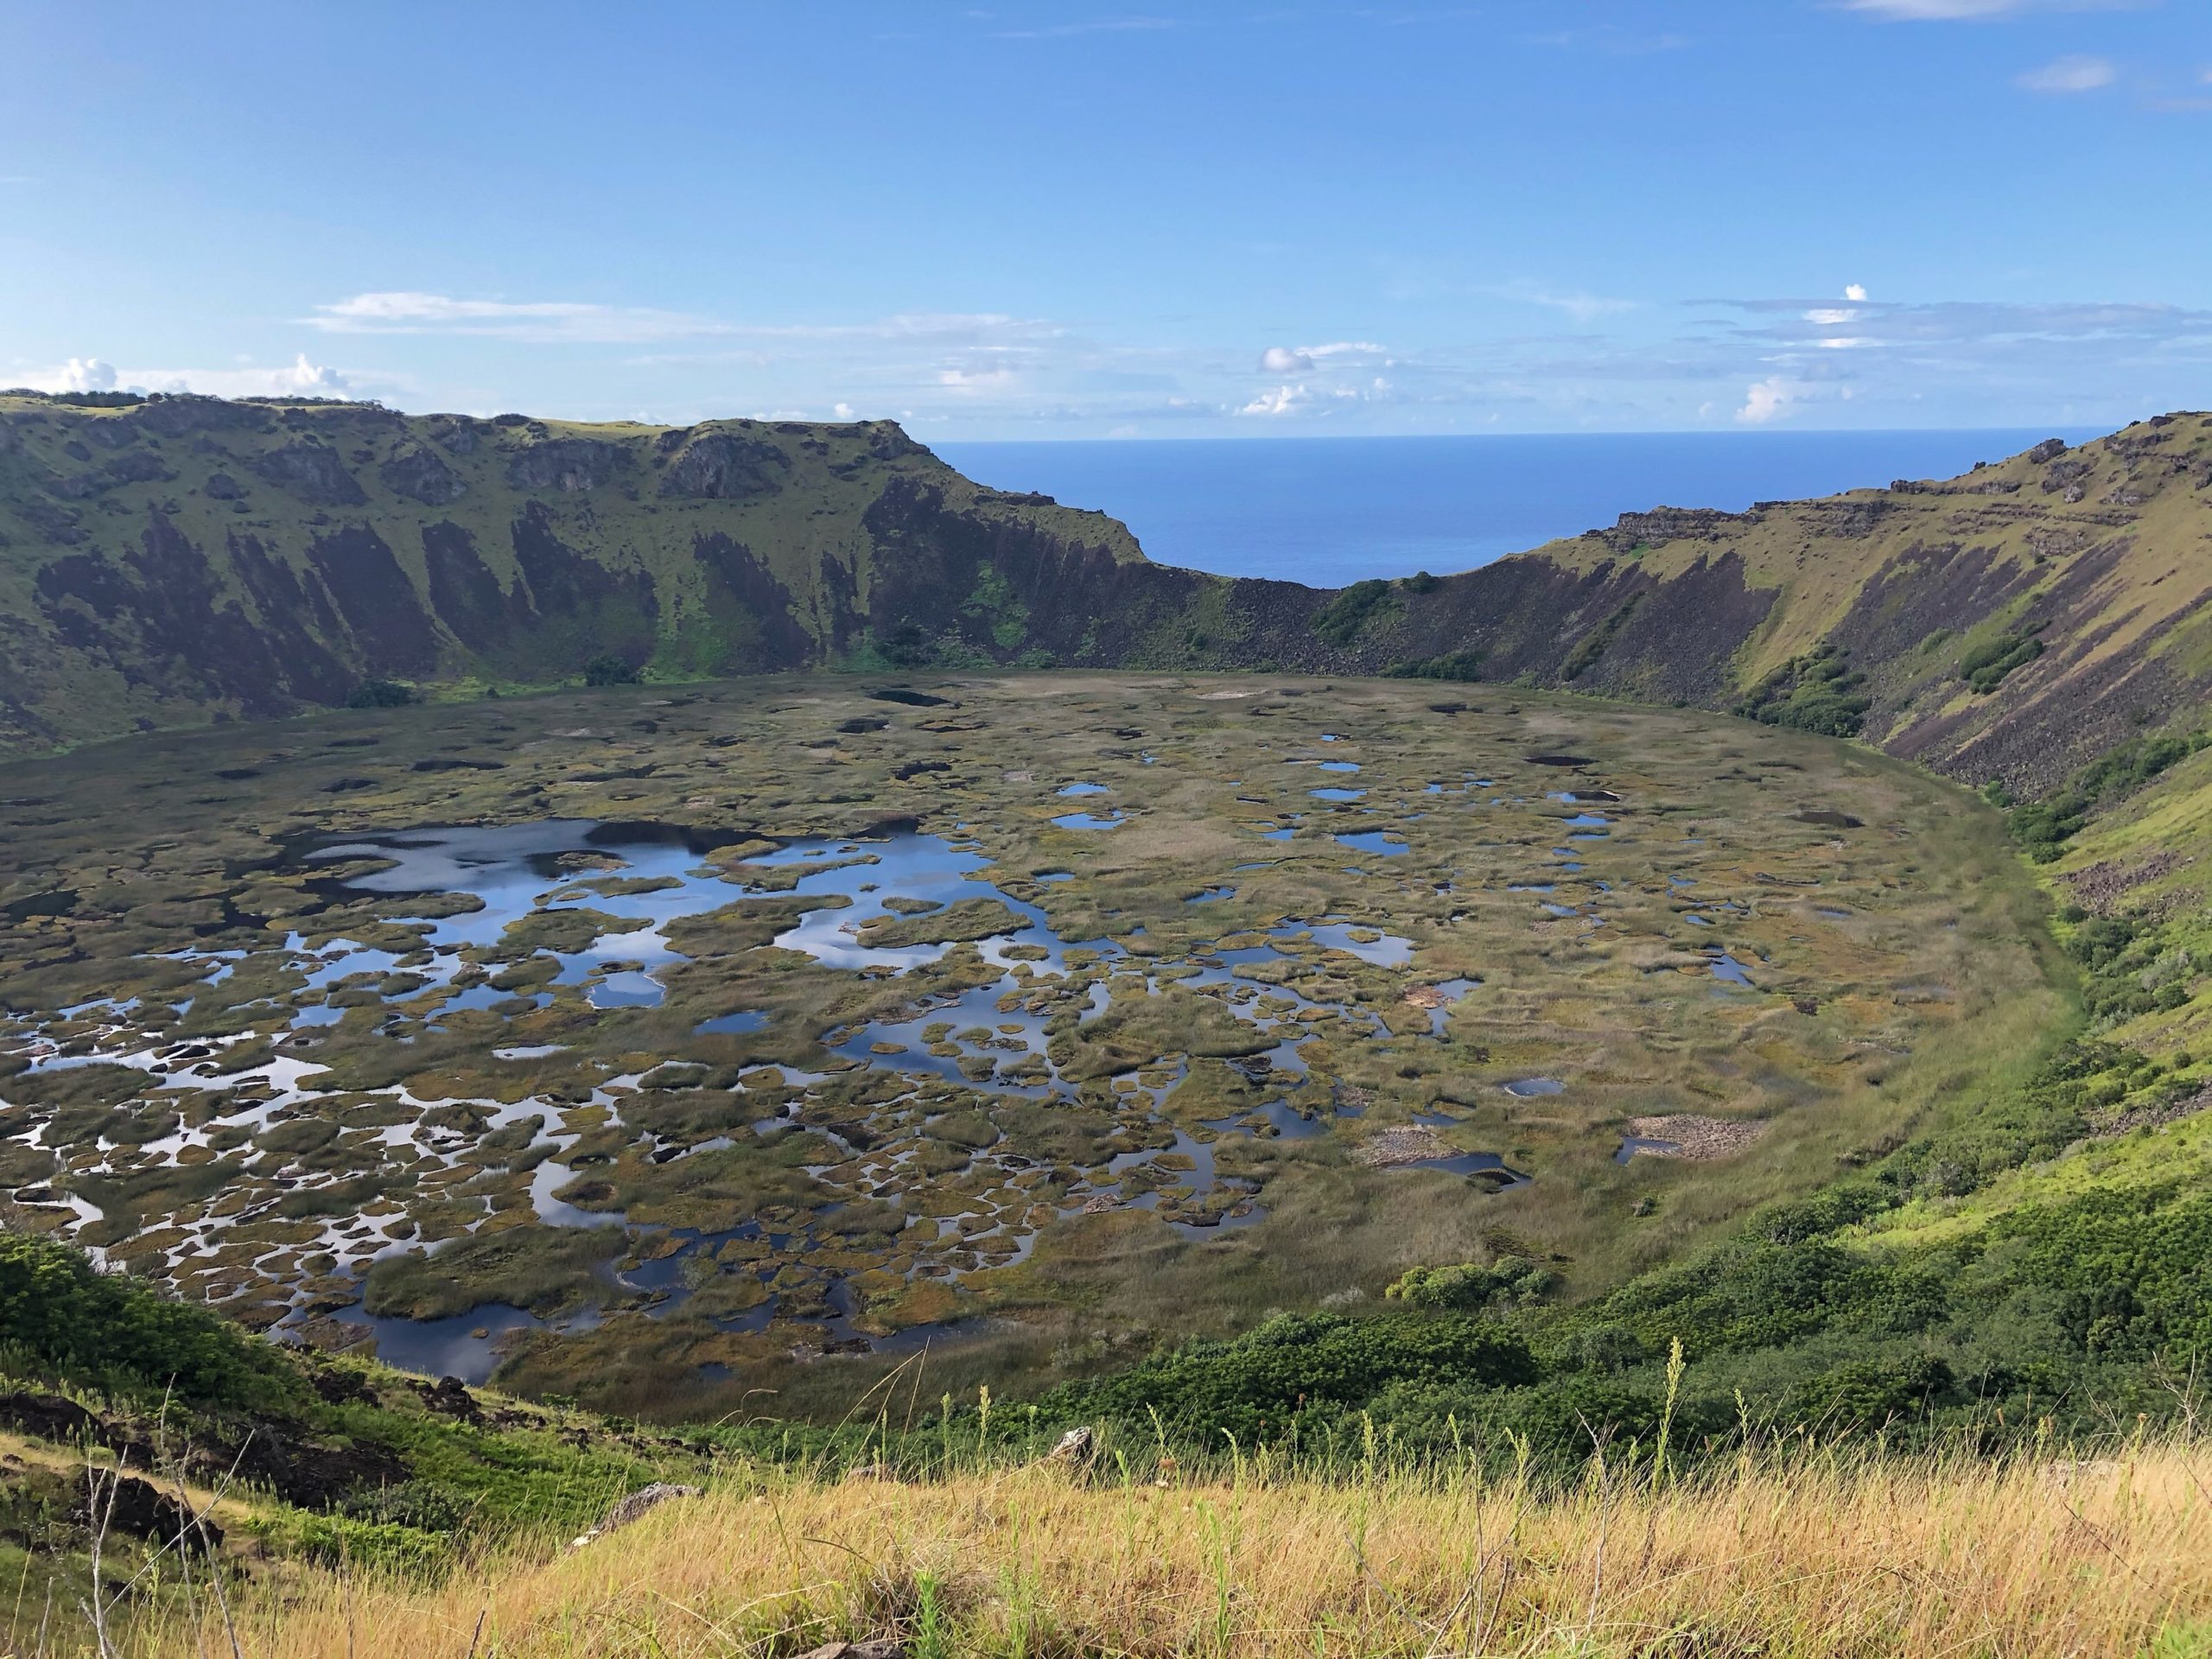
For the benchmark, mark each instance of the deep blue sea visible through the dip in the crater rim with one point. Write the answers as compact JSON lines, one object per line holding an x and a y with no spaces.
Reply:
{"x":1339,"y":510}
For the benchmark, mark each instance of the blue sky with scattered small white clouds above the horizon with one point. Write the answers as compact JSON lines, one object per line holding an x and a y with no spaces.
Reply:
{"x":1162,"y":220}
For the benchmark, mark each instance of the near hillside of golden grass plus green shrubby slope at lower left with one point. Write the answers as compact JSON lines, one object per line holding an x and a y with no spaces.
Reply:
{"x":176,"y":1490}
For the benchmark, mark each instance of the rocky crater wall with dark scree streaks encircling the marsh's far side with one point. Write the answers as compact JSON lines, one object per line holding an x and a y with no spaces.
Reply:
{"x":187,"y":559}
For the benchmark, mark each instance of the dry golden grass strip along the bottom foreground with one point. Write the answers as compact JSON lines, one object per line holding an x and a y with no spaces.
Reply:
{"x":1813,"y":1556}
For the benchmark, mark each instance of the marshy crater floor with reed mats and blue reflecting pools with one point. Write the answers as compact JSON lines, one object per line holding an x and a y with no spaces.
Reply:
{"x":671,"y":1043}
